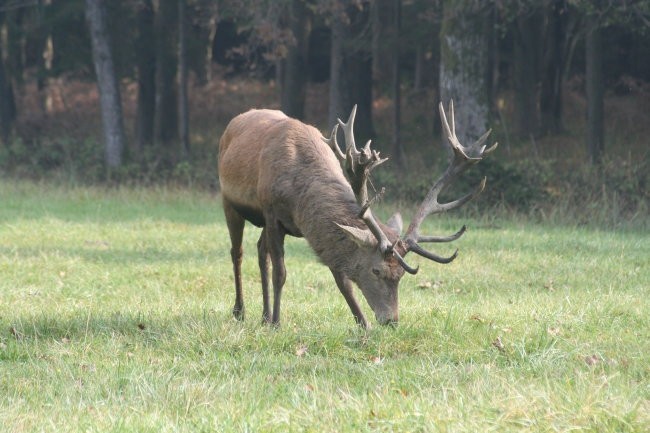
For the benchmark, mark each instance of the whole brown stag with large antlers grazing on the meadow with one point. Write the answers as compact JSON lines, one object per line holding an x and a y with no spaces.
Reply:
{"x":284,"y":176}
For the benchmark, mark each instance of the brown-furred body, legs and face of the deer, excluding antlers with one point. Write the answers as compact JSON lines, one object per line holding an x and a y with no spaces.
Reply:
{"x":277,"y":172}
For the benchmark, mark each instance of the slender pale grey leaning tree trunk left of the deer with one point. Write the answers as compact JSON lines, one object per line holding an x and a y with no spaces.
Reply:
{"x":109,"y":92}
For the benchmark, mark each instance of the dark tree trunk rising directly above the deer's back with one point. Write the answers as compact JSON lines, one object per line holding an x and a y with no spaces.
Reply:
{"x":293,"y":75}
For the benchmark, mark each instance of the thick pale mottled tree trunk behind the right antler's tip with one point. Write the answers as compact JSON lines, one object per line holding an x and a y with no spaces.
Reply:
{"x":464,"y":41}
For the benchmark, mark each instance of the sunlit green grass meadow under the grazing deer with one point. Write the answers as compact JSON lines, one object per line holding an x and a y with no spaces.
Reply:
{"x":115,"y":316}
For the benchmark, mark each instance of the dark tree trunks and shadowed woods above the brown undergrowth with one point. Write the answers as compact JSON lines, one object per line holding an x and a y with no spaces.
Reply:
{"x":468,"y":50}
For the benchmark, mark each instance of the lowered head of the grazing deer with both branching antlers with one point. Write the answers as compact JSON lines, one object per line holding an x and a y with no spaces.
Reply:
{"x":379,"y":262}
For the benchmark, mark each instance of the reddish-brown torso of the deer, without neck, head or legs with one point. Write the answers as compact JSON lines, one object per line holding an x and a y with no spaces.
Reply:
{"x":268,"y":161}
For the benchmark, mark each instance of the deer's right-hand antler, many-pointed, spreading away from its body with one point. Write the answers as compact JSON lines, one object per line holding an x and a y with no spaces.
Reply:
{"x":462,"y":158}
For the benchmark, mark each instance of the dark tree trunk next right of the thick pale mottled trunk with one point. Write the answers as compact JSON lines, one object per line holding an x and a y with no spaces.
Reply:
{"x":526,"y":113}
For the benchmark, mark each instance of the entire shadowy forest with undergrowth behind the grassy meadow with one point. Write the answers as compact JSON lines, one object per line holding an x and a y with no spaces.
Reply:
{"x":140,"y":90}
